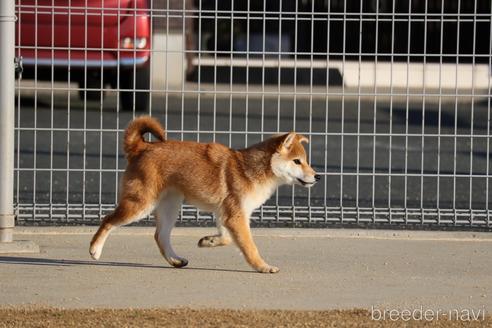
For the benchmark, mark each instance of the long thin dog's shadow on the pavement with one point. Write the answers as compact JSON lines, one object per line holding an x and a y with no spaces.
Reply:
{"x":63,"y":263}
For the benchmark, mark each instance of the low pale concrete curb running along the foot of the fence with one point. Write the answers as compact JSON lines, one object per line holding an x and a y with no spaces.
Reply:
{"x":277,"y":233}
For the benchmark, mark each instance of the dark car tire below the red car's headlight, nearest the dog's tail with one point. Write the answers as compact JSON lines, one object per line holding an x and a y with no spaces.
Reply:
{"x":135,"y":79}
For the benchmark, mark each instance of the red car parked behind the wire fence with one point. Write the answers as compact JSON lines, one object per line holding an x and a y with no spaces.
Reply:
{"x":91,"y":42}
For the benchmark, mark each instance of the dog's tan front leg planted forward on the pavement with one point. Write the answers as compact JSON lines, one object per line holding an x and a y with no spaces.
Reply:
{"x":238,"y":226}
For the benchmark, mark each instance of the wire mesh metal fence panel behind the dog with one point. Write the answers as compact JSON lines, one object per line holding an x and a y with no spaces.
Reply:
{"x":394,"y":96}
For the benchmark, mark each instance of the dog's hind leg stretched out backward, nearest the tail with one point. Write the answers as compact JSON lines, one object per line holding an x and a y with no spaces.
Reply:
{"x":127,"y":211}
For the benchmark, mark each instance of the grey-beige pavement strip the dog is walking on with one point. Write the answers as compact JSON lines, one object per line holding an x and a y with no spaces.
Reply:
{"x":319,"y":270}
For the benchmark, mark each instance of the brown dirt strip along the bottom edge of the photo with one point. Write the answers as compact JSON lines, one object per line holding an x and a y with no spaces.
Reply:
{"x":184,"y":317}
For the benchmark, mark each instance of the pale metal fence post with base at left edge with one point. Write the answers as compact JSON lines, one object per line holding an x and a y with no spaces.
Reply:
{"x":7,"y":121}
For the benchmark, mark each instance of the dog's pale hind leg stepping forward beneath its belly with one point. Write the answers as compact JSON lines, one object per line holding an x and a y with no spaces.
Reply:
{"x":166,"y":215}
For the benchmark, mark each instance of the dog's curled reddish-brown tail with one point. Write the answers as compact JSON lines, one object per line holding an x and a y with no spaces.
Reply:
{"x":134,"y":142}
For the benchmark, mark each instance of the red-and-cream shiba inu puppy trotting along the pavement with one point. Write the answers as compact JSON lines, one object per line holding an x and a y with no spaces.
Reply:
{"x":230,"y":183}
